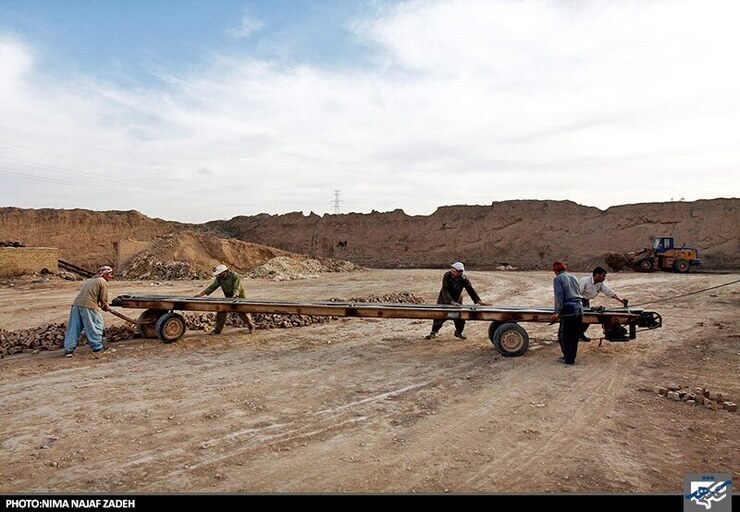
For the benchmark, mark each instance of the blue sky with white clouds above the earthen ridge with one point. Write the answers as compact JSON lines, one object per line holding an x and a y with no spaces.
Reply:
{"x":202,"y":110}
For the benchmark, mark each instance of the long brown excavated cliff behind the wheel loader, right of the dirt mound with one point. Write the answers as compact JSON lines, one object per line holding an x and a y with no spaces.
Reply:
{"x":525,"y":234}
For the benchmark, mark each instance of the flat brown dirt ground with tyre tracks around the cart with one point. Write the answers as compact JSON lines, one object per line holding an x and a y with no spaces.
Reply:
{"x":366,"y":405}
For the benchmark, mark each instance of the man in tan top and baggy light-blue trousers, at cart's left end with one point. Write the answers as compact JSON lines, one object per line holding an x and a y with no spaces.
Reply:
{"x":85,"y":313}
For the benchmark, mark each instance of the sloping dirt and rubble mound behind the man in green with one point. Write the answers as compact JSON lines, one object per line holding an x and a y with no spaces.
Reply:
{"x":191,"y":255}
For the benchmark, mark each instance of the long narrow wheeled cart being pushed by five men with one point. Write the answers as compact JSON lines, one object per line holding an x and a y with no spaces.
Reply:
{"x":160,"y":319}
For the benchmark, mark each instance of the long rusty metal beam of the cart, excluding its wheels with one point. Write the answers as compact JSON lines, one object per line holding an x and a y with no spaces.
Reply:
{"x":368,"y":309}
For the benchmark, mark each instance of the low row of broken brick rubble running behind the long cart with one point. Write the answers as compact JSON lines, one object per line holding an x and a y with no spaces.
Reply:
{"x":51,"y":336}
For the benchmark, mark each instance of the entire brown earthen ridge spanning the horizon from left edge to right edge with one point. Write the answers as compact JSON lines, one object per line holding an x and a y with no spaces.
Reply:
{"x":525,"y":234}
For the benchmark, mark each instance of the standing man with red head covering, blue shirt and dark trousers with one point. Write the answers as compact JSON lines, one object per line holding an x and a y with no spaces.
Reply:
{"x":568,"y":311}
